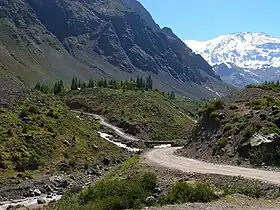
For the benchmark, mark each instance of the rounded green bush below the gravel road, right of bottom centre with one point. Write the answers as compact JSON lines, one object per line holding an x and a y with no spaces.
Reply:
{"x":183,"y":192}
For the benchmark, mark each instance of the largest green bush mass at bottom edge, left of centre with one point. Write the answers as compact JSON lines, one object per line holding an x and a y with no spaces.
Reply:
{"x":119,"y":194}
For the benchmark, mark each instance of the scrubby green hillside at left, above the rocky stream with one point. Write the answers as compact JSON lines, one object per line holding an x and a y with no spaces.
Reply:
{"x":50,"y":137}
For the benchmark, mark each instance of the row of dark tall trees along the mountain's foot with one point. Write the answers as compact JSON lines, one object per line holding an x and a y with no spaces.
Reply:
{"x":140,"y":83}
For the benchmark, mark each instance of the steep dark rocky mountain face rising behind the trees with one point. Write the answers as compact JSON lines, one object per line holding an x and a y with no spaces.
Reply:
{"x":105,"y":38}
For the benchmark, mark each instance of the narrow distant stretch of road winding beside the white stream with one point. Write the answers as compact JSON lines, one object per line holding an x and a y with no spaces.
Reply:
{"x":103,"y":122}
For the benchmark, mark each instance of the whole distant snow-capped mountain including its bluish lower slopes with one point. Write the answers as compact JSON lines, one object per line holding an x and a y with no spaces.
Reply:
{"x":241,"y":58}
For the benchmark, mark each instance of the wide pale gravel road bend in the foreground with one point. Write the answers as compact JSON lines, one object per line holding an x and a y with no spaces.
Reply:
{"x":165,"y":157}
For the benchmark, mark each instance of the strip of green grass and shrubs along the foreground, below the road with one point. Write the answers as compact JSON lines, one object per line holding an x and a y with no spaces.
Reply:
{"x":132,"y":186}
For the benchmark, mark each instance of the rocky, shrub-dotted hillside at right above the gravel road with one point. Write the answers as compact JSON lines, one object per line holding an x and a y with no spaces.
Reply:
{"x":241,"y":129}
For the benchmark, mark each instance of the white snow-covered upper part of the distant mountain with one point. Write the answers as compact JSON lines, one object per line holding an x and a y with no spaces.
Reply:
{"x":245,"y":50}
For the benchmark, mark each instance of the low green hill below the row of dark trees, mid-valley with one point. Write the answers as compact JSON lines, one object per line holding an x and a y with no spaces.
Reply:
{"x":155,"y":115}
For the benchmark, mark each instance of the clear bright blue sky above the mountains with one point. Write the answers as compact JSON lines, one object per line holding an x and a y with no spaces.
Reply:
{"x":206,"y":19}
